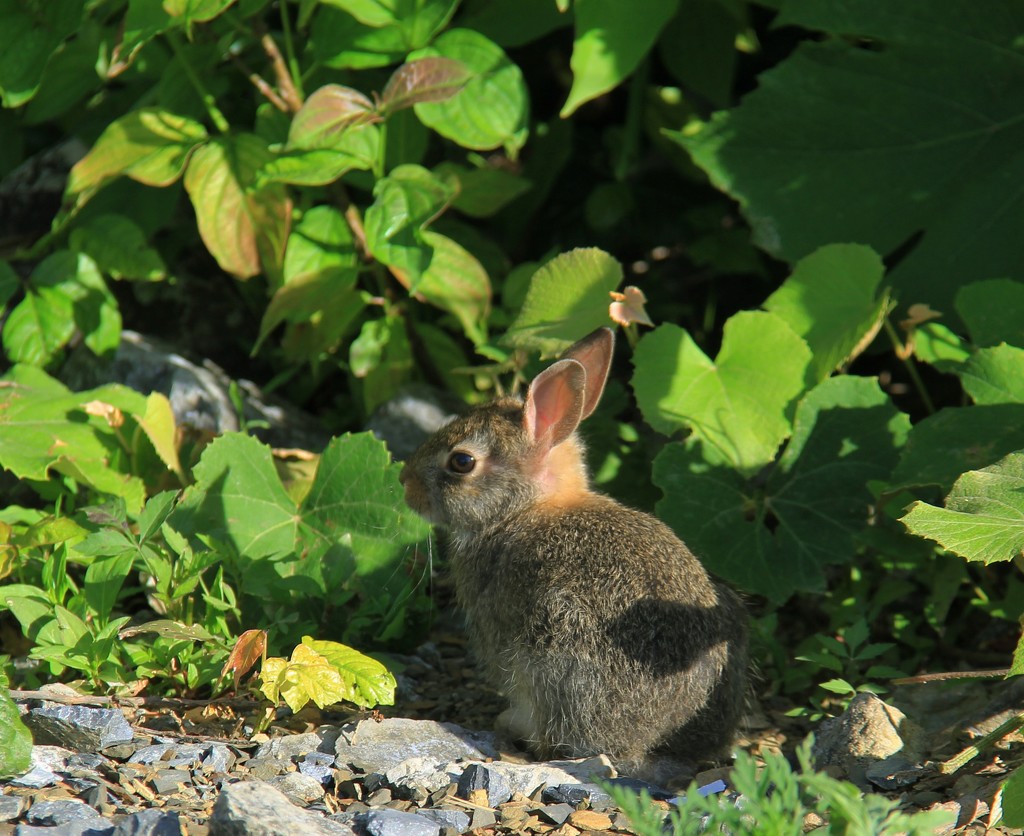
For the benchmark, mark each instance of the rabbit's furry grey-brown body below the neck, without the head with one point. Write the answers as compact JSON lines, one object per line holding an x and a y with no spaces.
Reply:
{"x":601,"y":624}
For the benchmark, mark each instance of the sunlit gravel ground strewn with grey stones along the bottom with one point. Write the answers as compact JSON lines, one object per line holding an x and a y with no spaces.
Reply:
{"x":172,"y":770}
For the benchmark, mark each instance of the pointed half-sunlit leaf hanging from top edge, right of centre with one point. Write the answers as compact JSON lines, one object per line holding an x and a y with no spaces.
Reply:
{"x":612,"y":38}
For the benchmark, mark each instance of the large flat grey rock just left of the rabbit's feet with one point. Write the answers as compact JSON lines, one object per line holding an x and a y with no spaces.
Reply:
{"x":376,"y":747}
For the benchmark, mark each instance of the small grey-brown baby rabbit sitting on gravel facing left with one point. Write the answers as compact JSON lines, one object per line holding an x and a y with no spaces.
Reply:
{"x":599,"y":623}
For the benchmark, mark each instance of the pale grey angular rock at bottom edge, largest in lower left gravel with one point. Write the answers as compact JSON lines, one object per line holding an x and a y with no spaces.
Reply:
{"x":255,"y":809}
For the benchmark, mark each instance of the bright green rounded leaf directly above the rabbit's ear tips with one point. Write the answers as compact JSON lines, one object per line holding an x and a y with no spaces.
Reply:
{"x":569,"y":298}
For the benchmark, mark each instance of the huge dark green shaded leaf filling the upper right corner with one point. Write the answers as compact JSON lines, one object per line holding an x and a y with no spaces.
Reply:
{"x":920,"y":133}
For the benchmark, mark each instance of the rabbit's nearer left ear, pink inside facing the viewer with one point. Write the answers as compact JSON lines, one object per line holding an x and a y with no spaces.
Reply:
{"x":554,"y":404}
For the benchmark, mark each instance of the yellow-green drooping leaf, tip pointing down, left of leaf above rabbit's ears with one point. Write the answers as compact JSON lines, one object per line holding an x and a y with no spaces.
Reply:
{"x":456,"y":281}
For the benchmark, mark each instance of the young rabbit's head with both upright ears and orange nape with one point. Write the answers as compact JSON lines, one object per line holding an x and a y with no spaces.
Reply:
{"x":509,"y":455}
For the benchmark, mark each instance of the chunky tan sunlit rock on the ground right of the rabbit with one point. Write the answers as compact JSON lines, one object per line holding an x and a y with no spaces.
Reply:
{"x":868,"y":732}
